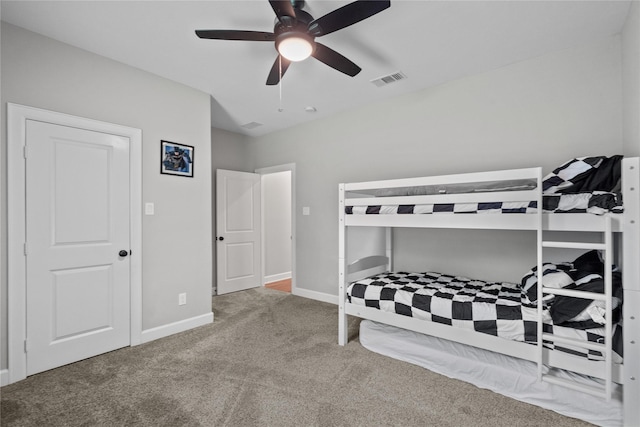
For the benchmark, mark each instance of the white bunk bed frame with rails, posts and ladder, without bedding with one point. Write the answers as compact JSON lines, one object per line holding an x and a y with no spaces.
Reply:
{"x":626,"y":225}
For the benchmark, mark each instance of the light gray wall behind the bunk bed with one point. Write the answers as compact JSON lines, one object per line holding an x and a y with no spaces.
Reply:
{"x":539,"y":112}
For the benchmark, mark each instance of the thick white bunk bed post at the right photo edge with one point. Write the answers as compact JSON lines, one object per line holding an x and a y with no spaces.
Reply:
{"x":631,"y":285}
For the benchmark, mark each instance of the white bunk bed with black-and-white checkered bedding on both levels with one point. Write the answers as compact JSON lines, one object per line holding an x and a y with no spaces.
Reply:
{"x":569,"y":321}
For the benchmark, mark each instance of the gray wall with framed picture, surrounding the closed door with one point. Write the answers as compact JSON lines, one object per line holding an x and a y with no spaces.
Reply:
{"x":43,"y":73}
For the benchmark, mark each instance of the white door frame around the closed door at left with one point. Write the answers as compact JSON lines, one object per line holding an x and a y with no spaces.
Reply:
{"x":17,"y":116}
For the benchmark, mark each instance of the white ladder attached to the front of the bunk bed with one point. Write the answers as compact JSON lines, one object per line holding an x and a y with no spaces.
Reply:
{"x":604,"y":348}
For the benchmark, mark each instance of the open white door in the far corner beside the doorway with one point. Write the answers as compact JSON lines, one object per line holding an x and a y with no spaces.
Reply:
{"x":237,"y":230}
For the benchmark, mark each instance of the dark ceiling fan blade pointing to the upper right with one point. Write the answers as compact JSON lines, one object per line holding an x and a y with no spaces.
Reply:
{"x":345,"y":16}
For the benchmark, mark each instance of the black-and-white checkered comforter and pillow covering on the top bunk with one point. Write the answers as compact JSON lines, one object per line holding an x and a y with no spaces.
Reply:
{"x":581,"y":185}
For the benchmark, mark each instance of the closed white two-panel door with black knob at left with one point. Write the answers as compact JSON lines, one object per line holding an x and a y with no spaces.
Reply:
{"x":78,"y":242}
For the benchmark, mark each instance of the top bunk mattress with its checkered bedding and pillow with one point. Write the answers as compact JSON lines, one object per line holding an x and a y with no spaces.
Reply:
{"x":581,"y":185}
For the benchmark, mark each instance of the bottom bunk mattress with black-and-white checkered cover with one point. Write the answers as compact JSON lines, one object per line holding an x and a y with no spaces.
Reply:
{"x":492,"y":308}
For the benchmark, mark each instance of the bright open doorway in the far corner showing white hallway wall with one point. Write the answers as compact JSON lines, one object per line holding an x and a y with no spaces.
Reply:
{"x":278,"y":227}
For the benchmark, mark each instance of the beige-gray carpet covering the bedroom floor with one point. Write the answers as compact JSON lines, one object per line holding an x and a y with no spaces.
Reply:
{"x":269,"y":359}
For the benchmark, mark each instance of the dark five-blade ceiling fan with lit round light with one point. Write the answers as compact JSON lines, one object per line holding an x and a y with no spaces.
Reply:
{"x":295,"y":31}
